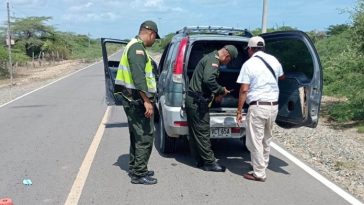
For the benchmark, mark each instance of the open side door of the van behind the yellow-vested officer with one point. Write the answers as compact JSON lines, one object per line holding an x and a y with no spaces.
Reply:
{"x":112,"y":50}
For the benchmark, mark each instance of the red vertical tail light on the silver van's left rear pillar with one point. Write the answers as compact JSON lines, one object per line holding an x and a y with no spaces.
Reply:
{"x":178,"y":66}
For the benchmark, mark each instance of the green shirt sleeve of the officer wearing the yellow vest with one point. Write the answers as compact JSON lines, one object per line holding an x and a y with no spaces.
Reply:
{"x":137,"y":58}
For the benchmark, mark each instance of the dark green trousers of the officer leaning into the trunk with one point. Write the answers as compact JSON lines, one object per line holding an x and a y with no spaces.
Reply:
{"x":199,"y":132}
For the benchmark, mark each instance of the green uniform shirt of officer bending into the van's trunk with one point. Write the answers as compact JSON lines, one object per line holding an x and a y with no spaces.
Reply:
{"x":204,"y":78}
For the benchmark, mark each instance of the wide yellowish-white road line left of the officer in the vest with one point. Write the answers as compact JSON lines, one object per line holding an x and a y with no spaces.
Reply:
{"x":84,"y":170}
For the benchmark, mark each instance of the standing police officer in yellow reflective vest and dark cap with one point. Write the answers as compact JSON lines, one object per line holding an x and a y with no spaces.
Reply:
{"x":136,"y":78}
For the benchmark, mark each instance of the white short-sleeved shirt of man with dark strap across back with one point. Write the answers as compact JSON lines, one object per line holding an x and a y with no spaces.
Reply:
{"x":262,"y":85}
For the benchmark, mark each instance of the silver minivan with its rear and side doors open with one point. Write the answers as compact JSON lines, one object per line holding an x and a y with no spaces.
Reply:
{"x":300,"y":92}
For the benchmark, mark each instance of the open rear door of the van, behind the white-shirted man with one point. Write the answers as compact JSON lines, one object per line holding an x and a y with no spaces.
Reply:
{"x":301,"y":91}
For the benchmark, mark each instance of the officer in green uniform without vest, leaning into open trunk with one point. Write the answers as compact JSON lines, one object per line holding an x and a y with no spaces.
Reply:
{"x":203,"y":88}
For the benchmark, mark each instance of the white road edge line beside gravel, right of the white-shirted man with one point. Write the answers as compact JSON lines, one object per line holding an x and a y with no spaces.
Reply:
{"x":319,"y":177}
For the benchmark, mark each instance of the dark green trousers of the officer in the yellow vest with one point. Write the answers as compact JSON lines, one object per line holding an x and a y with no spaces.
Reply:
{"x":141,"y":131}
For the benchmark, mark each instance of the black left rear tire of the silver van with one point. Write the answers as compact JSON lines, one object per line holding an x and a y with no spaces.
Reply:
{"x":167,"y":144}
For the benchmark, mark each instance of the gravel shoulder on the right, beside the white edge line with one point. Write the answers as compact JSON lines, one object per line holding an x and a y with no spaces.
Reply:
{"x":335,"y":153}
